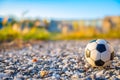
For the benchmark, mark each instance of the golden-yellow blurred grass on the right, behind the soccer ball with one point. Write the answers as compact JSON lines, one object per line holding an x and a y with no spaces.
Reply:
{"x":88,"y":34}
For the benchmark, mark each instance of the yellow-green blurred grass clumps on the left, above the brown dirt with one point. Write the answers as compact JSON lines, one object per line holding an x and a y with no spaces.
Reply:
{"x":8,"y":34}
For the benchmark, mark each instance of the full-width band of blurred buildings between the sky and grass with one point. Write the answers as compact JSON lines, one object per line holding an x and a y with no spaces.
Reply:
{"x":100,"y":25}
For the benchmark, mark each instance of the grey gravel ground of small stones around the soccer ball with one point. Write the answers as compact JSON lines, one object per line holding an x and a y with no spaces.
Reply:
{"x":55,"y":60}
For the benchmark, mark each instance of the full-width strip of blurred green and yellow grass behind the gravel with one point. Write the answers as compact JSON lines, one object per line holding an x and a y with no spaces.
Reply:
{"x":8,"y":34}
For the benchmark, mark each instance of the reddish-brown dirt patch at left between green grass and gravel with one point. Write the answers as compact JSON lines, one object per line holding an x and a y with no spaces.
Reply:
{"x":17,"y":44}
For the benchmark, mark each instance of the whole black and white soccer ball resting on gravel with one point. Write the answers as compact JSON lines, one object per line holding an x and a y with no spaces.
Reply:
{"x":99,"y":53}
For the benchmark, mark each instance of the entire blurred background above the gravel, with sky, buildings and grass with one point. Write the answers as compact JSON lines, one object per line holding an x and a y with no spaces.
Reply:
{"x":59,"y":19}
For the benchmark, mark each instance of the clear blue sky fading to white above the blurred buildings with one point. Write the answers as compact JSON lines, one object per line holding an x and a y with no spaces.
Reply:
{"x":60,"y":9}
